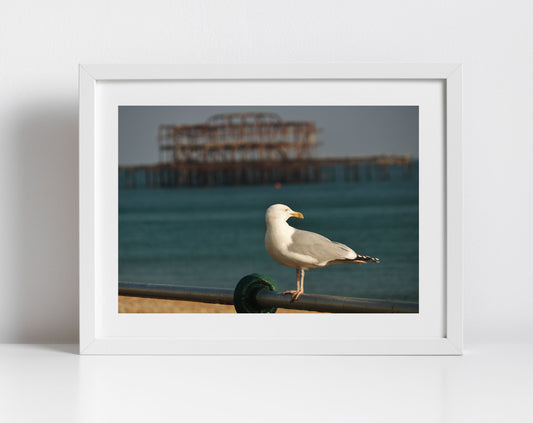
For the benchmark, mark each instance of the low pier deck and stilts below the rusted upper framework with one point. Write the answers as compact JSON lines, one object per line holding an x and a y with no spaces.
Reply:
{"x":168,"y":175}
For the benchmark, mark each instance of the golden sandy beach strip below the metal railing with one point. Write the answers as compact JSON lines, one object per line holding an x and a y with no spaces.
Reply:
{"x":152,"y":305}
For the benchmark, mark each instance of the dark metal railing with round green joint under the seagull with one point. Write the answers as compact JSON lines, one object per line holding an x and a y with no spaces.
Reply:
{"x":258,"y":294}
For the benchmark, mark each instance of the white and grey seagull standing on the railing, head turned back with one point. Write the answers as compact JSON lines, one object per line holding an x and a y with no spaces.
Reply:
{"x":303,"y":250}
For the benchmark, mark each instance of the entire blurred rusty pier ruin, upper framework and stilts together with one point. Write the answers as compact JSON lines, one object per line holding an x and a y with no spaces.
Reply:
{"x":252,"y":149}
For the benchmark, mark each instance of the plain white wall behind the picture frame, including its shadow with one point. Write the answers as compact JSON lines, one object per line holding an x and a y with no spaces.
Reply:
{"x":41,"y":44}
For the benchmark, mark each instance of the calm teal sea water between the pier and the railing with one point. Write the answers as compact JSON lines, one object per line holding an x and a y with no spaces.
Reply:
{"x":215,"y":236}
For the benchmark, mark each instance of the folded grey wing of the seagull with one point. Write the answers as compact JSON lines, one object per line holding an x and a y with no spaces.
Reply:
{"x":319,"y":247}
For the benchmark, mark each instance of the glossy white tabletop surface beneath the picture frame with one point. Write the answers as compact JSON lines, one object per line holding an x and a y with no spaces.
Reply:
{"x":490,"y":383}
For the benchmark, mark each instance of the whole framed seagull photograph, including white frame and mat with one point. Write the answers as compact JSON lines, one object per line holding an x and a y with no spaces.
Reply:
{"x":291,"y":209}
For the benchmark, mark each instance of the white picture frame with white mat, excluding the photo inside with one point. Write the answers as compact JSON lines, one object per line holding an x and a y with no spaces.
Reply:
{"x":436,"y":329}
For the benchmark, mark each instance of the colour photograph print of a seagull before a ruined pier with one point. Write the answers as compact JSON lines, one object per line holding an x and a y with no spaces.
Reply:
{"x":274,"y":209}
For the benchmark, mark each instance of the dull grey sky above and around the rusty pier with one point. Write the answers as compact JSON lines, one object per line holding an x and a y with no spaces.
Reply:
{"x":346,"y":130}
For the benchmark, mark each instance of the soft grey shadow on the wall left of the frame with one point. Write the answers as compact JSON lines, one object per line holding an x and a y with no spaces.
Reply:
{"x":45,"y":294}
